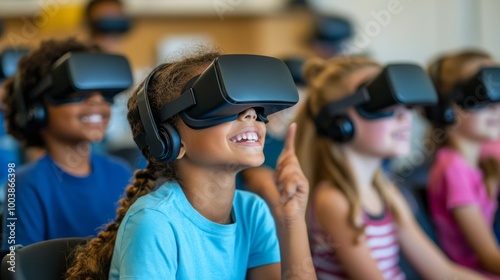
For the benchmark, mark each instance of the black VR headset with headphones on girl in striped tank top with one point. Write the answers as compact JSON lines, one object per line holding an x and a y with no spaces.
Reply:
{"x":405,"y":84}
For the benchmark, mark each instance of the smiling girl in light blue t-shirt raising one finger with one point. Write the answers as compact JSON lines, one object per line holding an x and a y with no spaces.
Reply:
{"x":199,"y":121}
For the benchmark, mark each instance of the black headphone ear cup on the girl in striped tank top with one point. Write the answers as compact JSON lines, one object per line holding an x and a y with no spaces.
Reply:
{"x":339,"y":128}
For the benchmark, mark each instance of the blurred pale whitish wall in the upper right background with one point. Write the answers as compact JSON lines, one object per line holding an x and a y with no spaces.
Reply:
{"x":417,"y":30}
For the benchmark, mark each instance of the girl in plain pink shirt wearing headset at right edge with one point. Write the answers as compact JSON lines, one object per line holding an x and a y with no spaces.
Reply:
{"x":462,"y":184}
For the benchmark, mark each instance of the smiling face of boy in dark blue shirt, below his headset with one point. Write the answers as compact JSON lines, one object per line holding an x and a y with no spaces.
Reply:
{"x":79,"y":121}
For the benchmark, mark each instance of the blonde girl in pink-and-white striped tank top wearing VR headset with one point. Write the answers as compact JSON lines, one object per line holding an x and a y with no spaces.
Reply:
{"x":356,"y":115}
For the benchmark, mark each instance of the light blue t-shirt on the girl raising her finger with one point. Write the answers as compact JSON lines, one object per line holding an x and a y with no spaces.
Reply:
{"x":163,"y":237}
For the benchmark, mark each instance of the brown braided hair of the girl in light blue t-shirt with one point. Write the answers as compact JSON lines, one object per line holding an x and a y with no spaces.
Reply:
{"x":92,"y":261}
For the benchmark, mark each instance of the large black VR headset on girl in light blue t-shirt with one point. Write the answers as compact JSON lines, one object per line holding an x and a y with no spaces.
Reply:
{"x":228,"y":87}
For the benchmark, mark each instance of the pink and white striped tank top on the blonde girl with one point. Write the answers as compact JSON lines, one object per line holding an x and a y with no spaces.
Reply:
{"x":381,"y":238}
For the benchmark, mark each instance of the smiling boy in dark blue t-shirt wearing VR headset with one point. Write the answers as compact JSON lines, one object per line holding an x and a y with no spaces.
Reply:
{"x":69,"y":191}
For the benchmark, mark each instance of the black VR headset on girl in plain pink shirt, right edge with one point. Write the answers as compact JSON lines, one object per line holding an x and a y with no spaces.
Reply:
{"x":475,"y":93}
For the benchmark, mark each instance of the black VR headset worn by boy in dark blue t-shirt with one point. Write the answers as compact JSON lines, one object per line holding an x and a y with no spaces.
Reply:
{"x":72,"y":77}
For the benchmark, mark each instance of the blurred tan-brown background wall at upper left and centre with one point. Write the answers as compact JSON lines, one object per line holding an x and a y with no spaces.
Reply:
{"x":281,"y":33}
